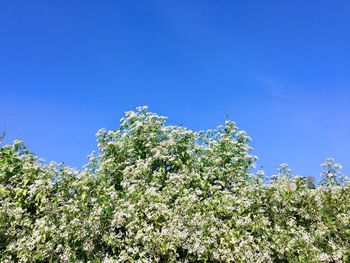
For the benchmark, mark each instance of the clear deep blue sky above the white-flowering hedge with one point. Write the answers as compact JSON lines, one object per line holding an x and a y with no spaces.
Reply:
{"x":280,"y":69}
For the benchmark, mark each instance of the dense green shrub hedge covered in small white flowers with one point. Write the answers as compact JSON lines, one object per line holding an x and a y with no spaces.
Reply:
{"x":158,"y":193}
